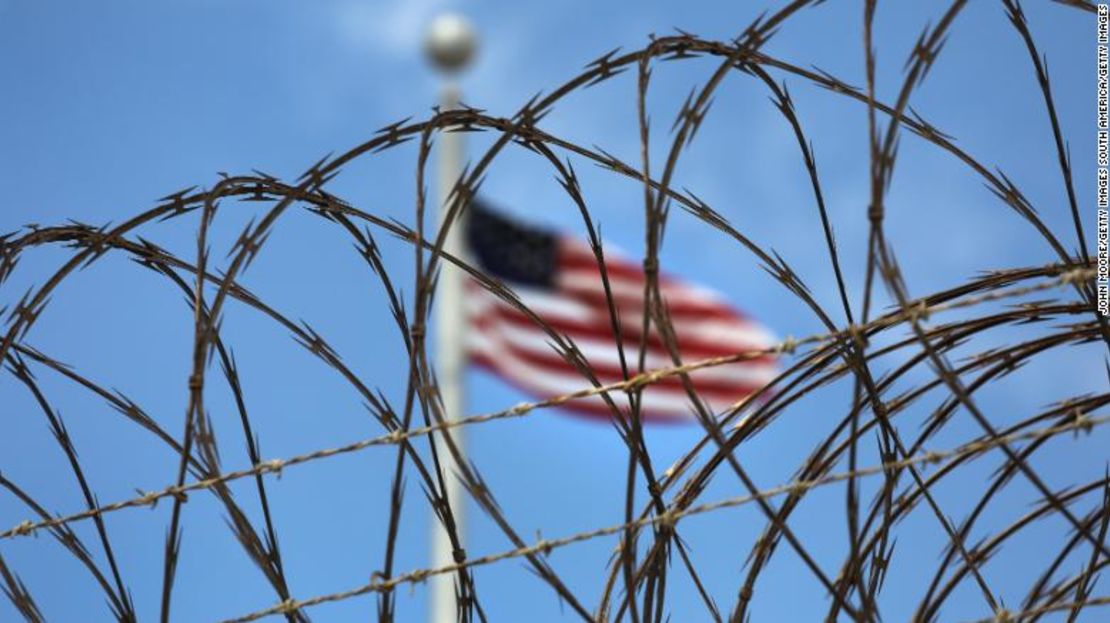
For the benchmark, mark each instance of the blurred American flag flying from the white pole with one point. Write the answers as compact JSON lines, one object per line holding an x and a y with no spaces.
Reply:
{"x":558,"y":277}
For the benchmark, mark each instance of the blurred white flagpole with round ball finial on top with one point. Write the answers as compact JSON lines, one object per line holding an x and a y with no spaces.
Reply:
{"x":450,"y":45}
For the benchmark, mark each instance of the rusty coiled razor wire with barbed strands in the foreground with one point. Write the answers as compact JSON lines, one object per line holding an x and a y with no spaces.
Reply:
{"x":932,"y":350}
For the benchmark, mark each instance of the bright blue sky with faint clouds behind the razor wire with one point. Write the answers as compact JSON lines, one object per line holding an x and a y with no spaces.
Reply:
{"x":110,"y":106}
